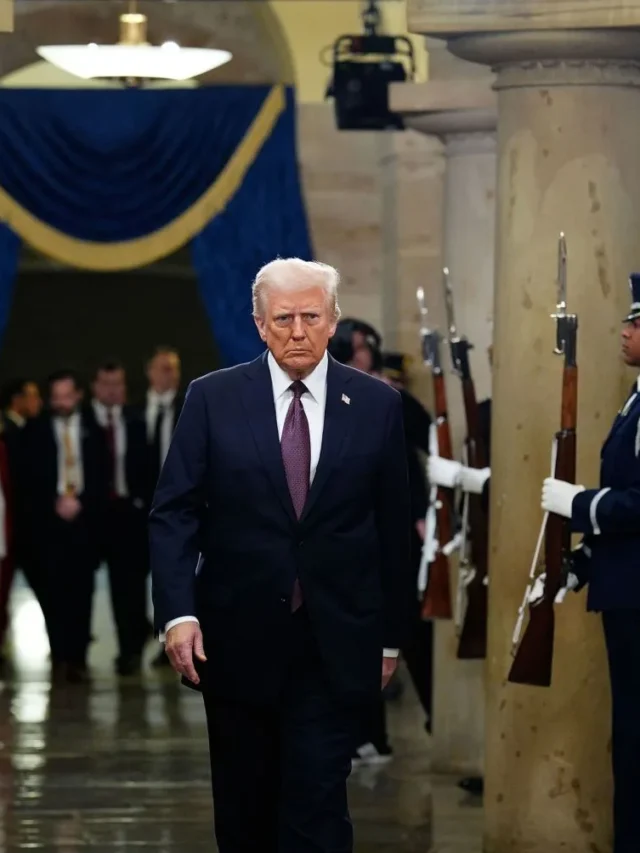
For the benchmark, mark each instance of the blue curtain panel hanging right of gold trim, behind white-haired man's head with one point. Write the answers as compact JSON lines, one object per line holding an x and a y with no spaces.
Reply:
{"x":265,"y":219}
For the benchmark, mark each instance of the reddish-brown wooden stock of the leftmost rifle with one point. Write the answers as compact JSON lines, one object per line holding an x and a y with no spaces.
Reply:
{"x":436,"y":602}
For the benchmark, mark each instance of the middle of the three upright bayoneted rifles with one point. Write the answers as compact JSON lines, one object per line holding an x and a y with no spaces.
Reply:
{"x":472,"y":643}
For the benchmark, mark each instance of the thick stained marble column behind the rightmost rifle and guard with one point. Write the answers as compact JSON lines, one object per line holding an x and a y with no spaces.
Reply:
{"x":568,"y":115}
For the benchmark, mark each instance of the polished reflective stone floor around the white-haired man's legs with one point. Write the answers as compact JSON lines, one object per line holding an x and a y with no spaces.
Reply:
{"x":124,"y":766}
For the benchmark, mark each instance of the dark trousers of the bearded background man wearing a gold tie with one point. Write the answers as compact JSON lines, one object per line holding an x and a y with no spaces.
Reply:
{"x":70,"y":557}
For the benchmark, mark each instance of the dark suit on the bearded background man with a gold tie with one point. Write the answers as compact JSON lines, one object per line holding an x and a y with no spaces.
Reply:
{"x":66,"y":553}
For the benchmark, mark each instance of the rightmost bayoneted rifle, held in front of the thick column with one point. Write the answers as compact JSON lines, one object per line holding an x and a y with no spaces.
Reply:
{"x":533,"y":659}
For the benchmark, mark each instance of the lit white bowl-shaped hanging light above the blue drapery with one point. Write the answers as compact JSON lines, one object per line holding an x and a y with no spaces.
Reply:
{"x":133,"y":59}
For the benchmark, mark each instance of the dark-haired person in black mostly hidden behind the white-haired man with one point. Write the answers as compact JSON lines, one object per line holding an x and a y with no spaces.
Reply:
{"x":356,"y":343}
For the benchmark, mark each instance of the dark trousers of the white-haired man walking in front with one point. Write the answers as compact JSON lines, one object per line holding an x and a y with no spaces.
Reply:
{"x":279,"y":773}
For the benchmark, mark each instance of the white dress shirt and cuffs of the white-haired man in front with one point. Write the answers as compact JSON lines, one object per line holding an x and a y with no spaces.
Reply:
{"x":314,"y":402}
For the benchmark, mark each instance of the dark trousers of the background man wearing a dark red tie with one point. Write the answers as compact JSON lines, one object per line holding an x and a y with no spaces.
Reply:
{"x":125,"y":552}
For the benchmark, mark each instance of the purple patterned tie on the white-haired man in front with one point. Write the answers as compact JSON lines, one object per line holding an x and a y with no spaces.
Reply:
{"x":296,"y":456}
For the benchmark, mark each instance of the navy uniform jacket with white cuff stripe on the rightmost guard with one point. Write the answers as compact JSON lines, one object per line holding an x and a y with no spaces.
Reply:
{"x":610,"y":519}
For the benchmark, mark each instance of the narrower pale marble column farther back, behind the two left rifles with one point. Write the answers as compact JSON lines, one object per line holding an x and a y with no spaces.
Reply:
{"x":462,"y":113}
